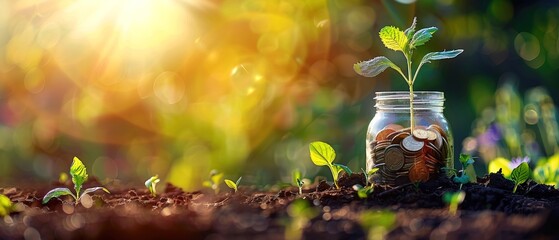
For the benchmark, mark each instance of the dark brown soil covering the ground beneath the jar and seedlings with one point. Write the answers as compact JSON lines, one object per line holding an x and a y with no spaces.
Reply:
{"x":489,"y":211}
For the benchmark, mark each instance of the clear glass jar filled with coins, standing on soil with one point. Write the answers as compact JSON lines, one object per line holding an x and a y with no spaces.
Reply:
{"x":403,"y":155}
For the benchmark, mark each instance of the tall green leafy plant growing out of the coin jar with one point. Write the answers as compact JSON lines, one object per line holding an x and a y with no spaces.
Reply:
{"x":406,"y":42}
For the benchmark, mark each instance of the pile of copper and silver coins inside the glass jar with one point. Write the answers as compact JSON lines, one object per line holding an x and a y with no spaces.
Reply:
{"x":403,"y":156}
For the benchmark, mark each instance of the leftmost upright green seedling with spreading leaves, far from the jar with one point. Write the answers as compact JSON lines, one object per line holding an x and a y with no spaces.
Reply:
{"x":79,"y":176}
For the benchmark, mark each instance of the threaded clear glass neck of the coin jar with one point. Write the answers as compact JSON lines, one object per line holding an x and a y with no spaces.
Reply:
{"x":399,"y":101}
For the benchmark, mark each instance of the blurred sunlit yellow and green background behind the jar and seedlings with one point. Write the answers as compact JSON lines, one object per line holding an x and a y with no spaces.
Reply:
{"x":180,"y":87}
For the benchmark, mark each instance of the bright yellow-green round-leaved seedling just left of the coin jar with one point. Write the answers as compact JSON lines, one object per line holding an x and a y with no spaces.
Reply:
{"x":323,"y":154}
